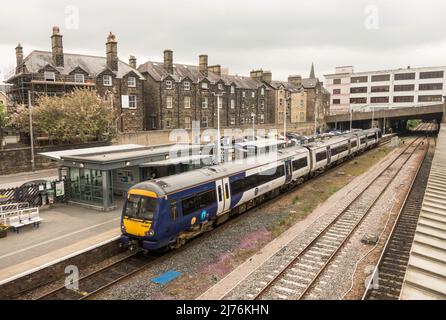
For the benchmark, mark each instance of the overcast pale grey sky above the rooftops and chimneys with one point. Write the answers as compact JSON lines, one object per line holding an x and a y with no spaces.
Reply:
{"x":281,"y":36}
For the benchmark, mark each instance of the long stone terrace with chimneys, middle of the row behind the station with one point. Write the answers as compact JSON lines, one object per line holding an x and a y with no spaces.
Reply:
{"x":177,"y":94}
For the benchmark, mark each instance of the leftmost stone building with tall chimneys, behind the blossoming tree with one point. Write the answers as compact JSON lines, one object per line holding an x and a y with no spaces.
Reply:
{"x":56,"y":73}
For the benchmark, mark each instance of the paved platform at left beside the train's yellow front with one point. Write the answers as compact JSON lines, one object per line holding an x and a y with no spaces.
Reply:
{"x":65,"y":231}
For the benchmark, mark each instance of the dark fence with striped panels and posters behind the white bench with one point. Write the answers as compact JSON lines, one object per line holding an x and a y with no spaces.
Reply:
{"x":38,"y":194}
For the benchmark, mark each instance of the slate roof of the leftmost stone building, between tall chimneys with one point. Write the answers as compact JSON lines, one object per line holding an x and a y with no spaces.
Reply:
{"x":93,"y":65}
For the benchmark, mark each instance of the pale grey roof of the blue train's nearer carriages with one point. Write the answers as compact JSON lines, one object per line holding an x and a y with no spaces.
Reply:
{"x":172,"y":184}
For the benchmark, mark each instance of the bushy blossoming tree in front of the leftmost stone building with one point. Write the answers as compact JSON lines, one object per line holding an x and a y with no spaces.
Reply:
{"x":78,"y":116}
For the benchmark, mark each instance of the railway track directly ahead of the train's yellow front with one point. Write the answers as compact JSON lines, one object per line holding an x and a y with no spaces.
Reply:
{"x":93,"y":283}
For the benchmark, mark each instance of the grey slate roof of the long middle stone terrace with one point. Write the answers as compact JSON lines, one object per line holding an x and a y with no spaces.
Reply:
{"x":181,"y":71}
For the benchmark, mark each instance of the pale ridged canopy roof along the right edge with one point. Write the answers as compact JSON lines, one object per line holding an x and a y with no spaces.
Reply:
{"x":426,"y":270}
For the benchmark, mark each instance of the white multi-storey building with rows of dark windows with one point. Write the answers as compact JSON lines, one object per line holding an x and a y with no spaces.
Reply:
{"x":404,"y":87}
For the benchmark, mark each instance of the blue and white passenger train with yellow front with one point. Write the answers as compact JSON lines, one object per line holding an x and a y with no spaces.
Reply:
{"x":163,"y":214}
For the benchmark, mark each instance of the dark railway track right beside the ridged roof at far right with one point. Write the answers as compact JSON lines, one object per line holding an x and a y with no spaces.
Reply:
{"x":392,"y":264}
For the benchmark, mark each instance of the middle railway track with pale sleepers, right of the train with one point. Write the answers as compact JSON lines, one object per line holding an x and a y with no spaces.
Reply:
{"x":296,"y":279}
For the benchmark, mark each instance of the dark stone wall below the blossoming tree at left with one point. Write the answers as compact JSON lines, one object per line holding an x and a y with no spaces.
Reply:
{"x":19,"y":159}
